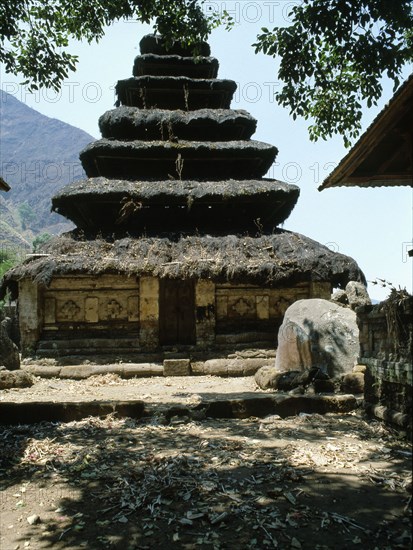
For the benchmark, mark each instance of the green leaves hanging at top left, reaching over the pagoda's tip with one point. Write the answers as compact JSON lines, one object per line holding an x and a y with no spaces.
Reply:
{"x":35,"y":34}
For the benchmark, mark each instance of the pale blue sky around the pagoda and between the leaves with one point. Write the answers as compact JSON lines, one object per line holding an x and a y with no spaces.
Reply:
{"x":374,"y":225}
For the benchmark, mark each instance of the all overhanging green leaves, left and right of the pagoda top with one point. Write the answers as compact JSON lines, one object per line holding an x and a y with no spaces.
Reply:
{"x":332,"y":56}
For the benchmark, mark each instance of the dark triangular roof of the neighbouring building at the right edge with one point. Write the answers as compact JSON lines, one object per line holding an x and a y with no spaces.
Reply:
{"x":383,"y":154}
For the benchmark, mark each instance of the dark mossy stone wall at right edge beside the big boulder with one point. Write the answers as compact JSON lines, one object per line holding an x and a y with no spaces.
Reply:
{"x":385,"y":350}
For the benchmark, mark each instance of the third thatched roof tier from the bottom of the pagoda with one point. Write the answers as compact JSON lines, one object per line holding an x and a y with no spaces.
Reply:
{"x":215,"y":160}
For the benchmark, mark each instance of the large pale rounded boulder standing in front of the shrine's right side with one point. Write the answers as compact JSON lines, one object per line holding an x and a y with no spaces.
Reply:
{"x":318,"y":333}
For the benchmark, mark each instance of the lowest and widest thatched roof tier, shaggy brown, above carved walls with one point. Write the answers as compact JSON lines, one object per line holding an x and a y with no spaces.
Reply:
{"x":281,"y":259}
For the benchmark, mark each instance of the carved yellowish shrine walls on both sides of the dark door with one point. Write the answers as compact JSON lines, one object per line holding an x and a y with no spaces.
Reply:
{"x":116,"y":314}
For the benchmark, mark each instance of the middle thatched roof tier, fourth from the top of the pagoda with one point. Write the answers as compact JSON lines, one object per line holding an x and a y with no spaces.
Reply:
{"x":131,"y":123}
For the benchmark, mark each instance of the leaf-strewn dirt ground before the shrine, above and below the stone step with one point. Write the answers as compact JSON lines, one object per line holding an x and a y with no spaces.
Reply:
{"x":310,"y":482}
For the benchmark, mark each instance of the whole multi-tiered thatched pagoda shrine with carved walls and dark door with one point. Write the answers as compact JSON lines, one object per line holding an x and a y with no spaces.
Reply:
{"x":177,"y":246}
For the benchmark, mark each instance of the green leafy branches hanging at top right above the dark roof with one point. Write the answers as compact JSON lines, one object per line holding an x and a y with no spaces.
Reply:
{"x":333,"y":58}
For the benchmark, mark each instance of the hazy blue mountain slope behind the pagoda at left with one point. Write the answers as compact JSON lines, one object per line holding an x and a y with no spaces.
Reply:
{"x":38,"y":156}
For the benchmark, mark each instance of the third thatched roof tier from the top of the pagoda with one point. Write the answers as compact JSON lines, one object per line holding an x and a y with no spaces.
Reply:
{"x":173,"y":92}
